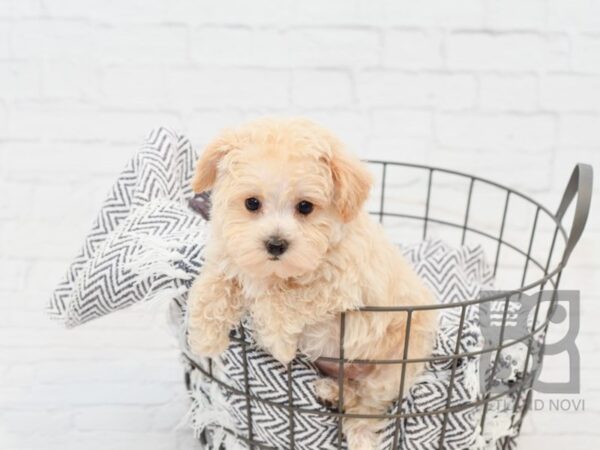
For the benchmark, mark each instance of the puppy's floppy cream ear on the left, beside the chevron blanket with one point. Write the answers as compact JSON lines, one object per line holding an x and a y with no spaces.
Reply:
{"x":208,"y":164}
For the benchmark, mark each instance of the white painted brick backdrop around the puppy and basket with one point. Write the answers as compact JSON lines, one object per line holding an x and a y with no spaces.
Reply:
{"x":508,"y":89}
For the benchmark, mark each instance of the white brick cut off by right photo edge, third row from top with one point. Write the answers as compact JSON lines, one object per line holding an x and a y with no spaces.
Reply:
{"x":570,"y":92}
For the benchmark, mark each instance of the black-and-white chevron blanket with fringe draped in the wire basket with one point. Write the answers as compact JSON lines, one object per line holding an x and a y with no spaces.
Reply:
{"x":147,"y":242}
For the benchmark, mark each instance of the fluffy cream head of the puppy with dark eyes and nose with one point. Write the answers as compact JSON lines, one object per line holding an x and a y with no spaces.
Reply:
{"x":281,"y":192}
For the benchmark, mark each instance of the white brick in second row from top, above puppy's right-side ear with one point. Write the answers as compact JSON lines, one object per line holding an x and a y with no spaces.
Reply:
{"x":334,"y":47}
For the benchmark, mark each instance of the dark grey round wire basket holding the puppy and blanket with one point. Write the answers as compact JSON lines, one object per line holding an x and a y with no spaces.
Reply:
{"x":528,"y":245}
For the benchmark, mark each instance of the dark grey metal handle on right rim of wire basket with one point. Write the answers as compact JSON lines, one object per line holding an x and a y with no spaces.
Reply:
{"x":580,"y":184}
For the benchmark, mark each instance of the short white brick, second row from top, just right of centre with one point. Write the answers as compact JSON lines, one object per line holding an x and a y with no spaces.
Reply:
{"x":413,"y":49}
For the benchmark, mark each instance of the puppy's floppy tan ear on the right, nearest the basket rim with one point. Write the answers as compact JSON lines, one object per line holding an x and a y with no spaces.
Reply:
{"x":352,"y":183}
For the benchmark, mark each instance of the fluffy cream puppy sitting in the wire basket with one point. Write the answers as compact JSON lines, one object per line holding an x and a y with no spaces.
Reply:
{"x":292,"y":246}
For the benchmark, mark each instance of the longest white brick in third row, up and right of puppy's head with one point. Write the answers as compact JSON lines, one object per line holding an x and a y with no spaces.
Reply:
{"x":389,"y":88}
